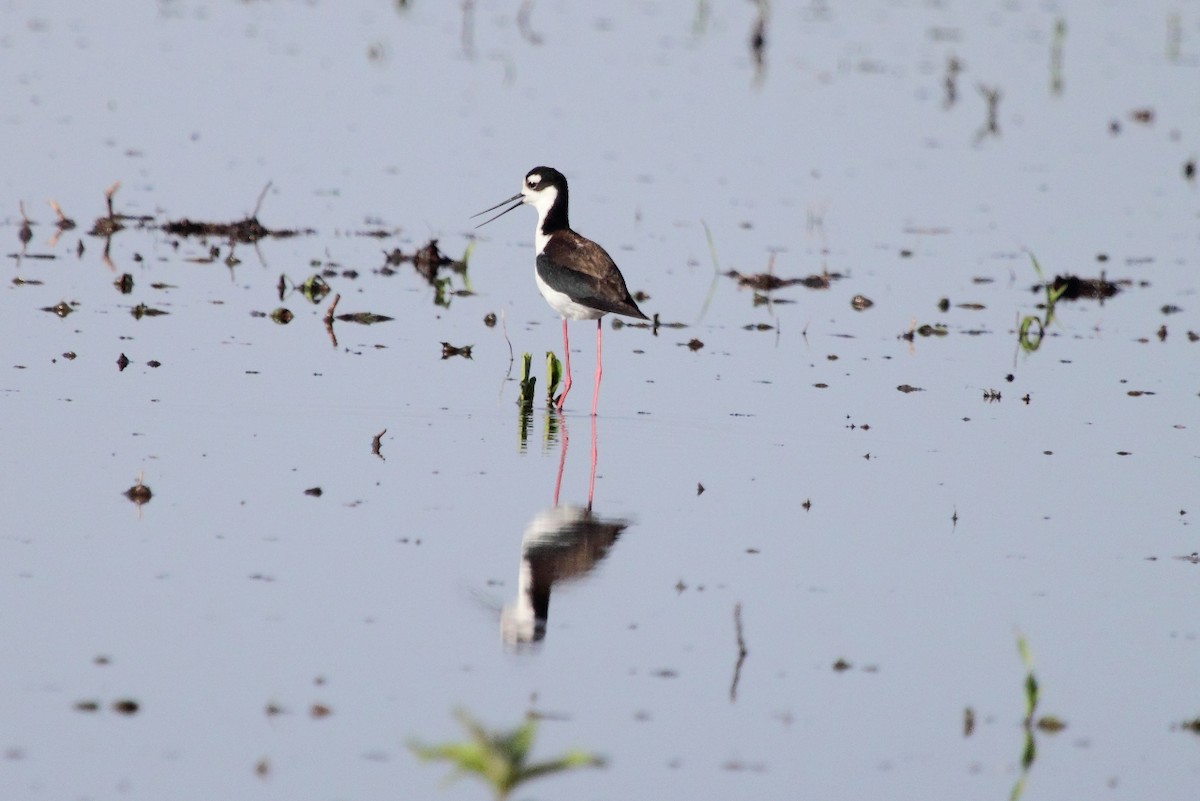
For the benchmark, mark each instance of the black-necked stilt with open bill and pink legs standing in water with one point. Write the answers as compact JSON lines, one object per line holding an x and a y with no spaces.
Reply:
{"x":577,"y":276}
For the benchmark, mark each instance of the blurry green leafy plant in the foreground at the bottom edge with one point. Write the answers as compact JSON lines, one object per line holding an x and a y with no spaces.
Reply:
{"x":500,"y":758}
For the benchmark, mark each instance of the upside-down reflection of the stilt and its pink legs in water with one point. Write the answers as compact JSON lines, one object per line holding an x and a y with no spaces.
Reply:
{"x":561,"y":544}
